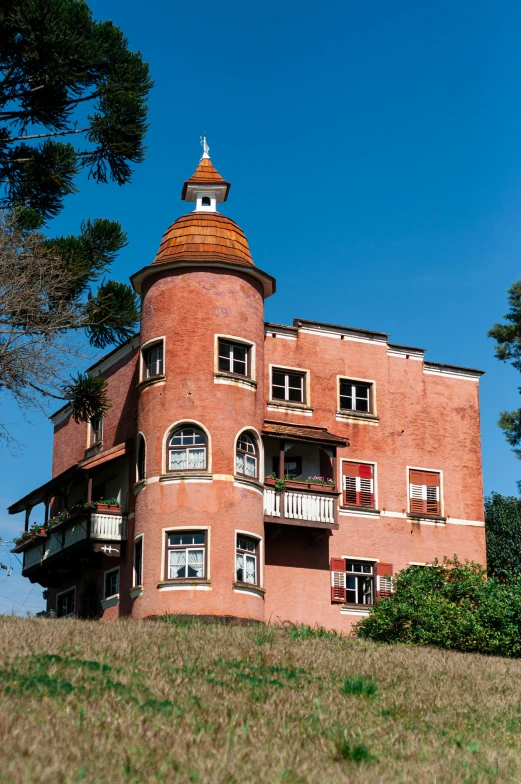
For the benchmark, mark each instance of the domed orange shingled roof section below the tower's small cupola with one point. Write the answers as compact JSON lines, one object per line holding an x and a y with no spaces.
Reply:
{"x":204,"y":236}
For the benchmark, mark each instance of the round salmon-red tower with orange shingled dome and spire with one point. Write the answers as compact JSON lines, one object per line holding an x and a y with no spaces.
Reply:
{"x":200,"y":466}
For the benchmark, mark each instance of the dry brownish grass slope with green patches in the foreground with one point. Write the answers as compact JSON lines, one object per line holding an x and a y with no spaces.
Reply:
{"x":159,"y":702}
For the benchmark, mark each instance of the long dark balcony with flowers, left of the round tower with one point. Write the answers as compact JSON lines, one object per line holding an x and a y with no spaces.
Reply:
{"x":90,"y":531}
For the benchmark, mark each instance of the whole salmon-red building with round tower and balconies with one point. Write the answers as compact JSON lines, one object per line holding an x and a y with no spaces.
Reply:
{"x":259,"y":471}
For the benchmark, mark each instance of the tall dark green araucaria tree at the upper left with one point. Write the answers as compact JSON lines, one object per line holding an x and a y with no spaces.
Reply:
{"x":72,"y":97}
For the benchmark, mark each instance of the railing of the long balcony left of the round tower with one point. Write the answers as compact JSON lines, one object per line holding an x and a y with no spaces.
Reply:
{"x":104,"y":527}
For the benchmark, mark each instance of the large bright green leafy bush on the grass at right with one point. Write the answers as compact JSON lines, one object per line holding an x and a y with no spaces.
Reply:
{"x":449,"y":605}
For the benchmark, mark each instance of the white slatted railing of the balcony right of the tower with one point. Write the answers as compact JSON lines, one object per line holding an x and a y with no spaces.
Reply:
{"x":294,"y":505}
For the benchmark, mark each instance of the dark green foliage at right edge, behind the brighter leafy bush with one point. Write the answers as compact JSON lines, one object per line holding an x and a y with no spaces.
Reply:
{"x":503,"y":531}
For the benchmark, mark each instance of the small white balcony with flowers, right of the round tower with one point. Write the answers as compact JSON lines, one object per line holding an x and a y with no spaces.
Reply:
{"x":300,"y":503}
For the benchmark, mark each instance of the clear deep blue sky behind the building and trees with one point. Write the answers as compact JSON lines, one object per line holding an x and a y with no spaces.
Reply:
{"x":374,"y":151}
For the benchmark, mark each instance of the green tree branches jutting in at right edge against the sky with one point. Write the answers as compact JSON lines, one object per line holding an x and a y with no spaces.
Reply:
{"x":508,"y":349}
